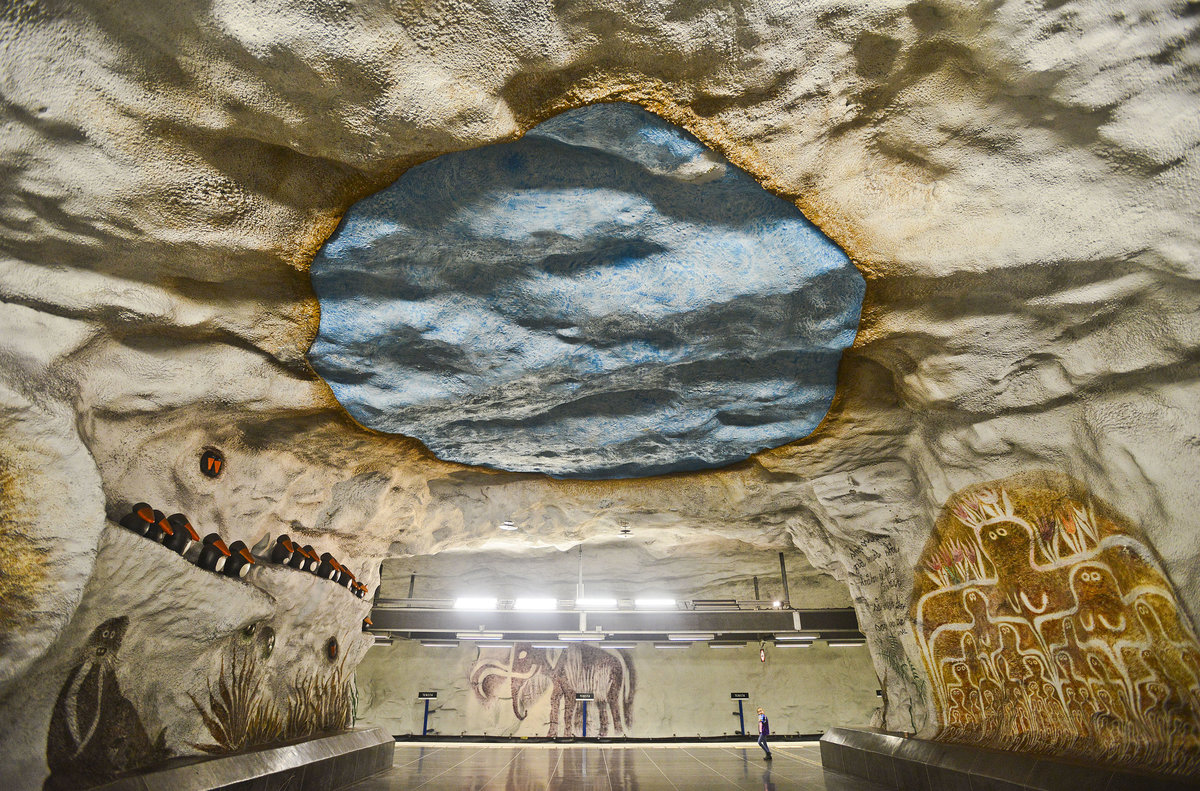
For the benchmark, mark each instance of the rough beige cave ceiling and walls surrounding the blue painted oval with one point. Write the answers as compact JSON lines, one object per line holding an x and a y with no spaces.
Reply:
{"x":1015,"y":183}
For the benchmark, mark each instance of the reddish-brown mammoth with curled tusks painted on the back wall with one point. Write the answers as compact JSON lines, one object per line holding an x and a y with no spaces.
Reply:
{"x":525,"y":675}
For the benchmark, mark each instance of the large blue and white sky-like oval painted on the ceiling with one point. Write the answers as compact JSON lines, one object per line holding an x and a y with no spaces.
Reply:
{"x":604,"y":298}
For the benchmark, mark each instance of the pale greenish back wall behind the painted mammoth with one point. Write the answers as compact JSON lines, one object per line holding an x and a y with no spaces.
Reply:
{"x":679,"y":692}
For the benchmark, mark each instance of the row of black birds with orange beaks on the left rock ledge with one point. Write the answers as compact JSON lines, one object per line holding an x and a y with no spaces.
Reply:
{"x":212,"y":554}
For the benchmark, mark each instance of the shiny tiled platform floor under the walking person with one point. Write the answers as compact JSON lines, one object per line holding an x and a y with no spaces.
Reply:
{"x":609,"y":768}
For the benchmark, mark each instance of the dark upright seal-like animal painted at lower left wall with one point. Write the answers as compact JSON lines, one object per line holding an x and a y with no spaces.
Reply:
{"x":97,"y":734}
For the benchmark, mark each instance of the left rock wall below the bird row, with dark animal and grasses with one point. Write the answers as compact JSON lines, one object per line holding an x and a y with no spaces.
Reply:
{"x":167,"y":648}
